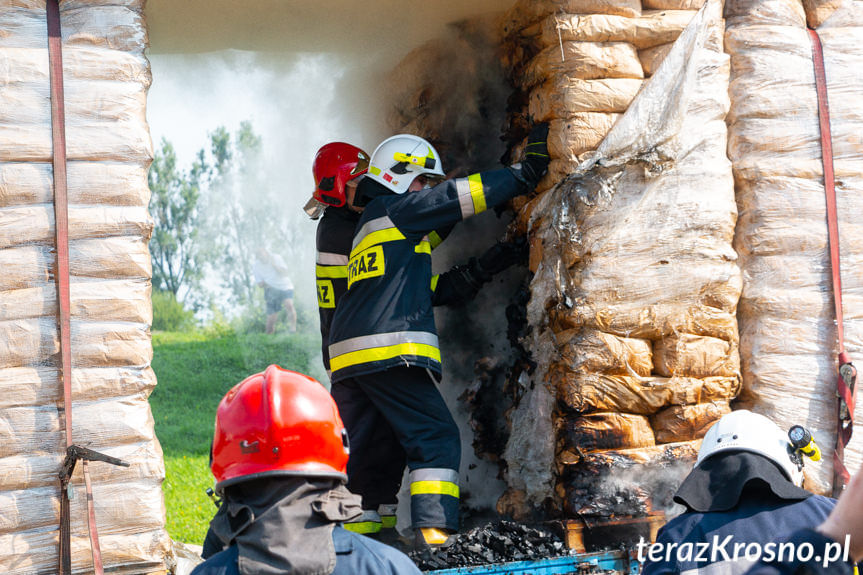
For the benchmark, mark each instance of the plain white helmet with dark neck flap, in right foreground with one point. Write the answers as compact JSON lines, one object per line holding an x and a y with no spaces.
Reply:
{"x":743,"y":430}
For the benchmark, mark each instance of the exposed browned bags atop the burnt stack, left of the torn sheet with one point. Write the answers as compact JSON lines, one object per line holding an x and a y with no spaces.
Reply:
{"x":577,"y":65}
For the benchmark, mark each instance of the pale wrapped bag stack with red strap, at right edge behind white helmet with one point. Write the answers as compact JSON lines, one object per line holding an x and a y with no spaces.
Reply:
{"x":787,"y":327}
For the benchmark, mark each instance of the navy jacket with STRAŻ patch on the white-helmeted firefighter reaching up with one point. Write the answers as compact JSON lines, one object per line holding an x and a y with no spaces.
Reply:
{"x":385,"y":319}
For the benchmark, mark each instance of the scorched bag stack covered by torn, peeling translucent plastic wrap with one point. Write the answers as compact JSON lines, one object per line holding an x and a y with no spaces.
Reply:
{"x":636,"y":289}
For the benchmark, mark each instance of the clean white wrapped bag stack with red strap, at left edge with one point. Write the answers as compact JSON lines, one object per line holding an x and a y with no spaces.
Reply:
{"x":106,"y":78}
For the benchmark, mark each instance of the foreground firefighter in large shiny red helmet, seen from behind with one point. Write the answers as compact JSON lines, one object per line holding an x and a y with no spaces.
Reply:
{"x":279,"y":458}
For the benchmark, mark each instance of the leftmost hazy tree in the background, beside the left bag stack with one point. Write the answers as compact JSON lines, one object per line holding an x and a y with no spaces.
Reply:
{"x":177,"y":262}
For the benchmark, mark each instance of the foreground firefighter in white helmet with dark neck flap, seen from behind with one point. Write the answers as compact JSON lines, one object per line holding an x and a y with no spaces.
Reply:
{"x":743,"y":493}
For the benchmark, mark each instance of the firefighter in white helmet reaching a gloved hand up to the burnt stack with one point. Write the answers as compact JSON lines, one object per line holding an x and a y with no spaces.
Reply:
{"x":384,"y":356}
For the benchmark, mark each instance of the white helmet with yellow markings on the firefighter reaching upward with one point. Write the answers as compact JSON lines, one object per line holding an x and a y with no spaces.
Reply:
{"x":398,"y":160}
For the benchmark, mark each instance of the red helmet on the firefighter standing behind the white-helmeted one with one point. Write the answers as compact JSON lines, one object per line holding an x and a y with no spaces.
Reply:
{"x":335,"y":165}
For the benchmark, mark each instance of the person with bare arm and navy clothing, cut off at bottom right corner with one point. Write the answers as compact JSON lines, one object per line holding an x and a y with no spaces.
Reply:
{"x":842,"y":530}
